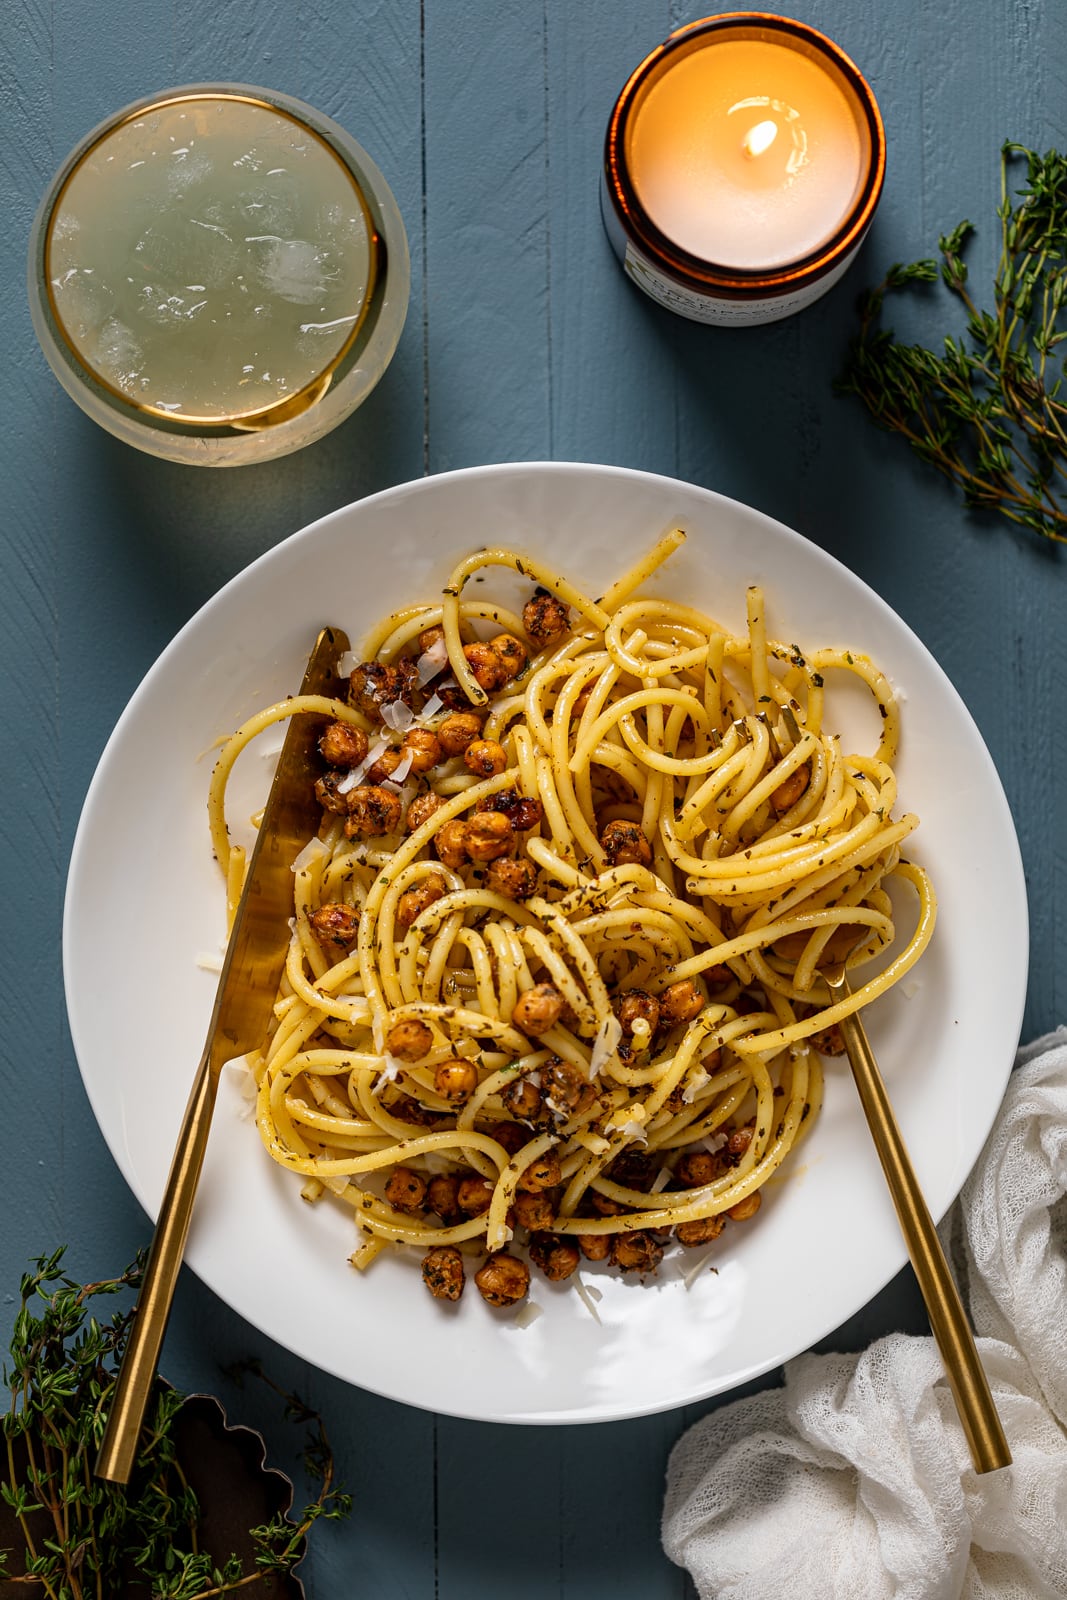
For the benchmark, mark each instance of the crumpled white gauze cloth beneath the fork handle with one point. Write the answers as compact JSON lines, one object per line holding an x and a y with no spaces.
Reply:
{"x":853,"y":1482}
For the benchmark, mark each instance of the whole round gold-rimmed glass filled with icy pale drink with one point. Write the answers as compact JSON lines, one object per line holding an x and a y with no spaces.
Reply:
{"x":209,"y":271}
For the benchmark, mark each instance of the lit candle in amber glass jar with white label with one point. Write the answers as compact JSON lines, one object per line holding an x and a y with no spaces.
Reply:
{"x":743,"y":167}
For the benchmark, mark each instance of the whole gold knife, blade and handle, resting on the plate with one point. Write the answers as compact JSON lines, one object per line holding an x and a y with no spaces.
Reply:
{"x":244,"y":1004}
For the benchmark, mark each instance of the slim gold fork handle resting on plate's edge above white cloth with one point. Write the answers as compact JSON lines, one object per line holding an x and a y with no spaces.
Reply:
{"x":948,"y":1319}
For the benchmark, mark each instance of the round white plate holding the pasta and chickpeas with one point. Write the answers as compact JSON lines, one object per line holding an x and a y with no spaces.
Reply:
{"x":145,"y":900}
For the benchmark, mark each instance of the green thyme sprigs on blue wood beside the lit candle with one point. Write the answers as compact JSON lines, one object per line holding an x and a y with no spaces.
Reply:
{"x":988,"y":412}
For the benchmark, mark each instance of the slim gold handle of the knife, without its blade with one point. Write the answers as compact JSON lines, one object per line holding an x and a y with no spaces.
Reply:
{"x":137,"y":1375}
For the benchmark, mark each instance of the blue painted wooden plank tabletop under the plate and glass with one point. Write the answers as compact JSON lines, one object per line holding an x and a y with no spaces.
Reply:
{"x":524,"y":342}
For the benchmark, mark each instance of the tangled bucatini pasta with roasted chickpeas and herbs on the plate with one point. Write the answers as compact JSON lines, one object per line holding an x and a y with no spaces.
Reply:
{"x":554,"y":983}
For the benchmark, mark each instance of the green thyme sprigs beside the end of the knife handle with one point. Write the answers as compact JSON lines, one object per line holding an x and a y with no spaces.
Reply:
{"x":87,"y":1540}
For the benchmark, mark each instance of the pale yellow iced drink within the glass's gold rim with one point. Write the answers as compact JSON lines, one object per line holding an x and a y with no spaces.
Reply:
{"x":210,"y":260}
